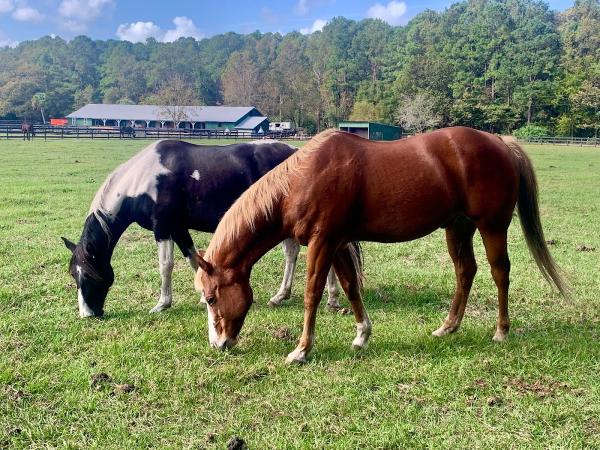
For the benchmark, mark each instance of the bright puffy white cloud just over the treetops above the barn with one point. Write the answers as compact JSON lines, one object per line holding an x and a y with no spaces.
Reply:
{"x":140,"y":31}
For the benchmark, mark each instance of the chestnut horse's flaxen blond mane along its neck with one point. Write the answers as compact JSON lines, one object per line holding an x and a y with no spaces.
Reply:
{"x":258,"y":201}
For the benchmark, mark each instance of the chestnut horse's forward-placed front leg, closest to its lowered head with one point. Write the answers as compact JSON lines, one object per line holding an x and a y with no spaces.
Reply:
{"x":318,"y":262}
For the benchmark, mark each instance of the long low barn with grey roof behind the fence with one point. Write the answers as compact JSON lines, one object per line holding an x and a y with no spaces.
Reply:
{"x":235,"y":118}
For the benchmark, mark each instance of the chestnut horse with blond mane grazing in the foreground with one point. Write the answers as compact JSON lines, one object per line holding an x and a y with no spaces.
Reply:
{"x":341,"y":188}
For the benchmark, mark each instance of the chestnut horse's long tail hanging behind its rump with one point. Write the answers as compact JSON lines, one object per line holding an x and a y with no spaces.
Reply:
{"x":529,"y":213}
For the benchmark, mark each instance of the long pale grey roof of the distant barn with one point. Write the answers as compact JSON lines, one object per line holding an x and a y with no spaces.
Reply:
{"x":230,"y":114}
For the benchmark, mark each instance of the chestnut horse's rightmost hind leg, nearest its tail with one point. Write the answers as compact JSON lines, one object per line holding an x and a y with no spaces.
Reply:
{"x":497,"y":255}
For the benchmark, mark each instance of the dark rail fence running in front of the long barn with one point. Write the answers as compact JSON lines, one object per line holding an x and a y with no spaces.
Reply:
{"x":70,"y":132}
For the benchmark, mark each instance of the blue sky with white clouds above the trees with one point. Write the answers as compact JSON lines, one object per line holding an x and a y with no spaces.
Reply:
{"x":137,"y":20}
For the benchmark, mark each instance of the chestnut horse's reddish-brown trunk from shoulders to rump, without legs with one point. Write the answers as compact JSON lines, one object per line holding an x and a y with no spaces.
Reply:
{"x":404,"y":189}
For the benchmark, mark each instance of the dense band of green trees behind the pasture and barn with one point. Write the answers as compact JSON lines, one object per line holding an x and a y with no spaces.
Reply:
{"x":497,"y":65}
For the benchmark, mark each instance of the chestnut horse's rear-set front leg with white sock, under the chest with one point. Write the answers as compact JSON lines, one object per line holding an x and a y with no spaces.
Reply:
{"x":349,"y":279}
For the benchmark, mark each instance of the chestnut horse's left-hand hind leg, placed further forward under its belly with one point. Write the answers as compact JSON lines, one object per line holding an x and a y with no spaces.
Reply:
{"x":459,"y":238}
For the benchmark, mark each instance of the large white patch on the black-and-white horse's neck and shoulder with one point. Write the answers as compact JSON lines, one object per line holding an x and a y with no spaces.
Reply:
{"x":135,"y":177}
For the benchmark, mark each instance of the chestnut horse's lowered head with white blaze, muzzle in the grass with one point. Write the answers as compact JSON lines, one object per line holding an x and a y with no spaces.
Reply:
{"x":228,"y":297}
